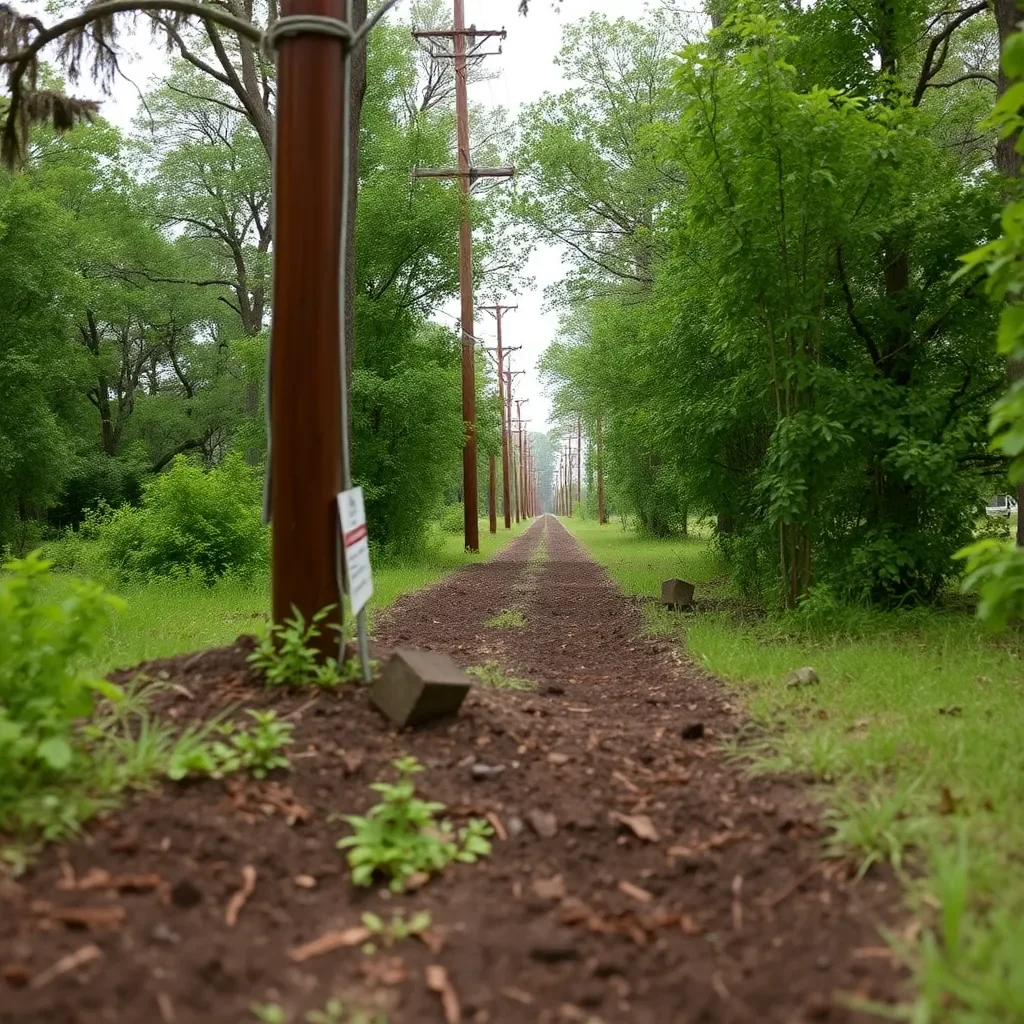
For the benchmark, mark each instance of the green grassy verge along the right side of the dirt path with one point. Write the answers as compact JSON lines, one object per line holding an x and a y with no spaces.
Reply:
{"x":915,"y":735}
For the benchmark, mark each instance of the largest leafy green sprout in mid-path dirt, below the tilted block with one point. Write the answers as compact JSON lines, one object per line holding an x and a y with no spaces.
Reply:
{"x":403,"y":837}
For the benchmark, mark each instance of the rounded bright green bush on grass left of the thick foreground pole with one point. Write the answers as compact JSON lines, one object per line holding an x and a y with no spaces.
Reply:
{"x":192,"y":523}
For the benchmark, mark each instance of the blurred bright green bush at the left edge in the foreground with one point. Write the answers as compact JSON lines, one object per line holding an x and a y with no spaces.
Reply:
{"x":42,"y":693}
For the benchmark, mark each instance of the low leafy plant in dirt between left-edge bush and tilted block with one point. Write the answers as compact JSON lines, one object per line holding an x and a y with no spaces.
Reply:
{"x":257,"y":750}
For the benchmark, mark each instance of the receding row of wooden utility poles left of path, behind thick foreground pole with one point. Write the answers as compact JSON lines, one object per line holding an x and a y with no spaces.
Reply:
{"x":462,"y":46}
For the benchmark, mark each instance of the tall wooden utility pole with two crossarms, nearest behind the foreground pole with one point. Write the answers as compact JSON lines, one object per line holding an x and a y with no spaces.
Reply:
{"x":464,"y":46}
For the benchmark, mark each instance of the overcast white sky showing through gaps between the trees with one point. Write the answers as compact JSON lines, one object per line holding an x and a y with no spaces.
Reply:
{"x":527,"y":71}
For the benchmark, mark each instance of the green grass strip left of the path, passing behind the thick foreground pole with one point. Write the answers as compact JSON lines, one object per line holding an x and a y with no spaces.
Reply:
{"x":166,"y":619}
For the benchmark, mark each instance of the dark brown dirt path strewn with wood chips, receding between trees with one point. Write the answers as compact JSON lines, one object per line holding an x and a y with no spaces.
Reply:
{"x":721,"y":912}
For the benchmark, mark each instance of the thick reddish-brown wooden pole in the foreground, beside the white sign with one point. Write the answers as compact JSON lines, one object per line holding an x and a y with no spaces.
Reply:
{"x":306,"y":369}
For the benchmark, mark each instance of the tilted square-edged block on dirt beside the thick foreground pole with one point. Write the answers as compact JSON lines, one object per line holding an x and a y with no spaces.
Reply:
{"x":419,"y":687}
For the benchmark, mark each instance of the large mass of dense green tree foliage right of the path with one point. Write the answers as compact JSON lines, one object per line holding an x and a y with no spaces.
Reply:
{"x":763,"y":316}
